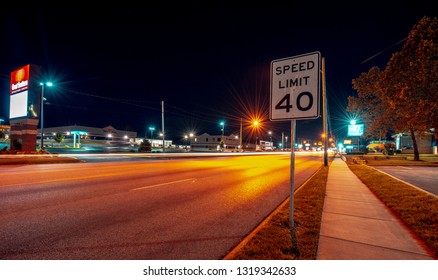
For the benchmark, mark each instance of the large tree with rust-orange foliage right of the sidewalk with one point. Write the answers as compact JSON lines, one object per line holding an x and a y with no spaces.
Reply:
{"x":406,"y":91}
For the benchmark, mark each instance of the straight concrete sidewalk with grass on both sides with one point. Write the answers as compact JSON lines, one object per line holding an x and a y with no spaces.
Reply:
{"x":356,"y":225}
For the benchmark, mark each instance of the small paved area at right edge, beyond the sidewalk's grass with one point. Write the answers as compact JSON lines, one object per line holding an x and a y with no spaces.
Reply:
{"x":423,"y":177}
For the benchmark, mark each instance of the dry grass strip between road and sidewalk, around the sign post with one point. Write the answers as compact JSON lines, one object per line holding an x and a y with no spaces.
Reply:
{"x":273,"y":241}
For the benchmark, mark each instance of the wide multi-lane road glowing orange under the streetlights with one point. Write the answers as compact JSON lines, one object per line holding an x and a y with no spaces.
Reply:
{"x":166,"y":209}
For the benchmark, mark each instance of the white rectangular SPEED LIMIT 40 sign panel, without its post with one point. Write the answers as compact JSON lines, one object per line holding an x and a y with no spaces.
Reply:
{"x":295,"y":86}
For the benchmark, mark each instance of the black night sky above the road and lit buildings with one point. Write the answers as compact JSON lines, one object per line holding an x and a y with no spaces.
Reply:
{"x":114,"y":65}
